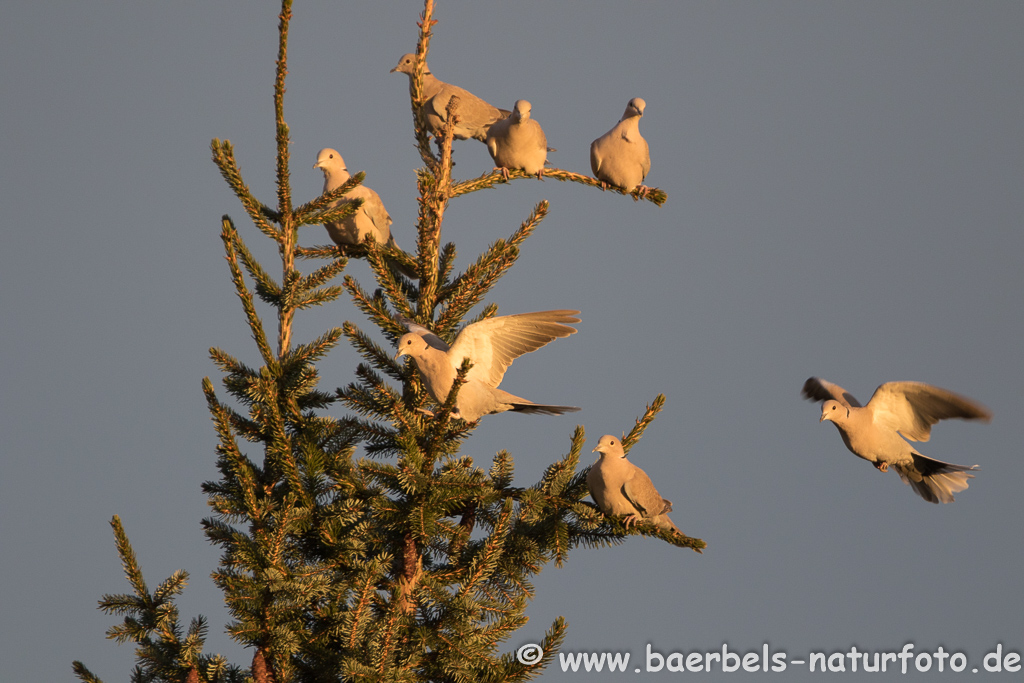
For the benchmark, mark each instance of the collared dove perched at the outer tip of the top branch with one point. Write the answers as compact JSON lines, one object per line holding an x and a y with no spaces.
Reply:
{"x":622,"y":157}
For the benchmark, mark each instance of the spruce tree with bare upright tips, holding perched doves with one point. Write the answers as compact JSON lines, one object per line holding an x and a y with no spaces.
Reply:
{"x":365,"y":548}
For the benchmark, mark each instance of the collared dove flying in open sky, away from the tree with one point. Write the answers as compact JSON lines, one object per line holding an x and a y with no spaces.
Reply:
{"x":897,"y":412}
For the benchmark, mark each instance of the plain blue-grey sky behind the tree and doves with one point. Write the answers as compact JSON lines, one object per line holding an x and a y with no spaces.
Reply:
{"x":845,"y":200}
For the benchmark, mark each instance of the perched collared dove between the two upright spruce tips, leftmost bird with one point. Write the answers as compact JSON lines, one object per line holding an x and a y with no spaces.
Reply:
{"x":371,"y":219}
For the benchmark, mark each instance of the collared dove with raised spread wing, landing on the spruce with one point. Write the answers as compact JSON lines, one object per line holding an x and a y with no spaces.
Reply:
{"x":491,"y":346}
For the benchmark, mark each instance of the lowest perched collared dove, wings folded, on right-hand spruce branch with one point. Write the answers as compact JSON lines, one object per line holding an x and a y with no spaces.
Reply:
{"x":620,"y":488}
